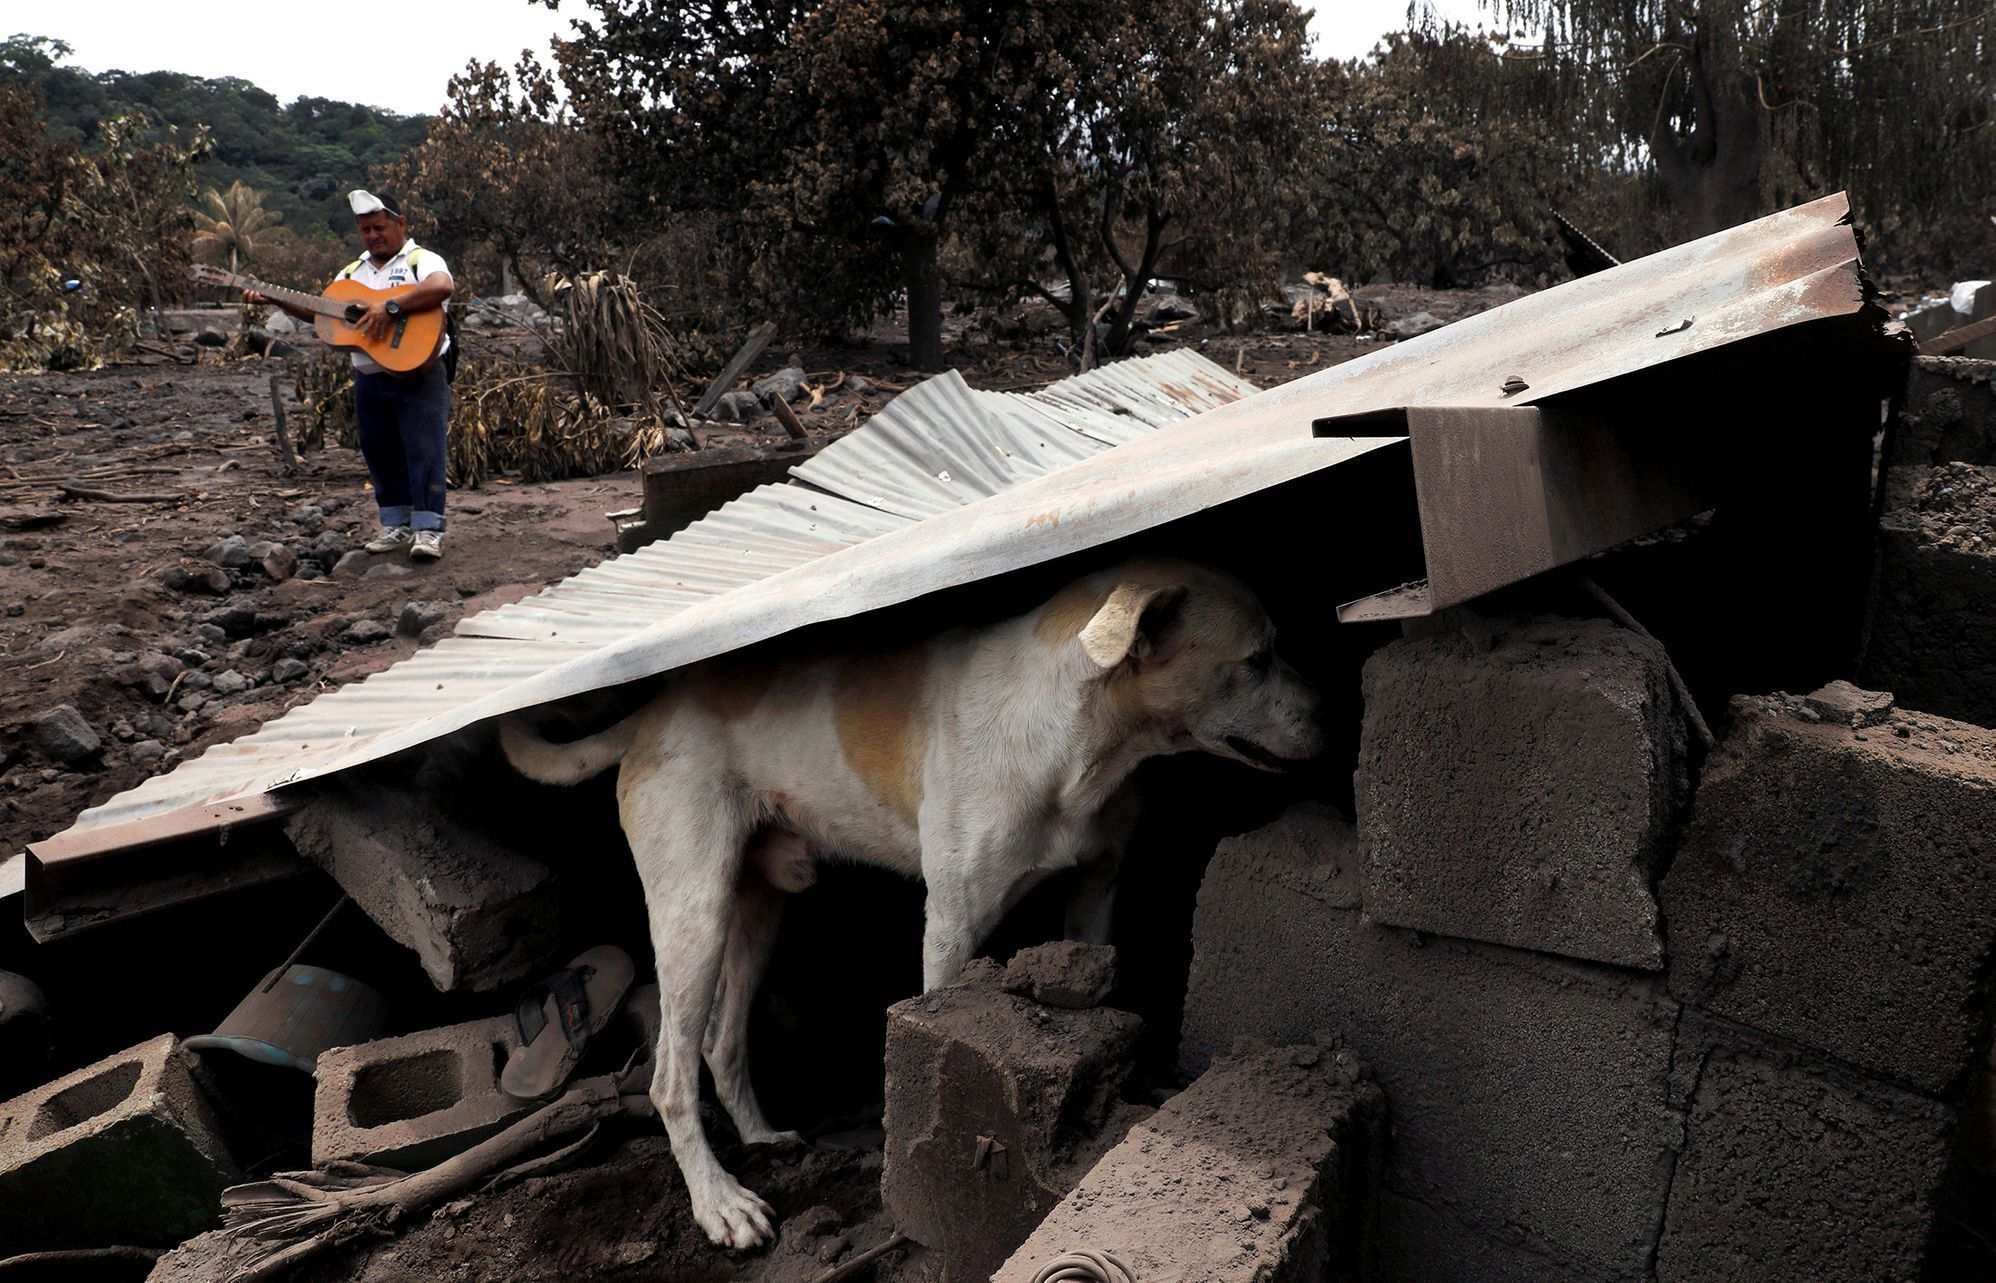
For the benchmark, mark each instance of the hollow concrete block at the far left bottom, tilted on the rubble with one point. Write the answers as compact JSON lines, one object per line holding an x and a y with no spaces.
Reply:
{"x":123,"y":1152}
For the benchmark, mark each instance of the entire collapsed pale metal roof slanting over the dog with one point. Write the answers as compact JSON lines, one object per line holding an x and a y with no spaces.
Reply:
{"x":911,"y":510}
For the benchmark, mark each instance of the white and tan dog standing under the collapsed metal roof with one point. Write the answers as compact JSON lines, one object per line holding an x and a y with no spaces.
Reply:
{"x":981,"y":761}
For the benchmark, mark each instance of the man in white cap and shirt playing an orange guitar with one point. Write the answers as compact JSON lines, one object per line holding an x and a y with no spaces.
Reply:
{"x":404,"y":420}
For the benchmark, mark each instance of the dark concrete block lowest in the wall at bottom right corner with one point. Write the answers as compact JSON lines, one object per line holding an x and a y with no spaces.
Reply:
{"x":1793,"y":1168}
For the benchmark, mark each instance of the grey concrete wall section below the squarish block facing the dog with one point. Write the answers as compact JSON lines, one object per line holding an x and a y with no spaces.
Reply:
{"x":1530,"y":1094}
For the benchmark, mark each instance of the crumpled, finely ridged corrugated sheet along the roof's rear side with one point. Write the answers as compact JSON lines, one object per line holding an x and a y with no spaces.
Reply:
{"x":935,"y":448}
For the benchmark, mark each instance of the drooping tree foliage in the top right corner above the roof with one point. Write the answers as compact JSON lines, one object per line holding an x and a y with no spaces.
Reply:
{"x":1744,"y":107}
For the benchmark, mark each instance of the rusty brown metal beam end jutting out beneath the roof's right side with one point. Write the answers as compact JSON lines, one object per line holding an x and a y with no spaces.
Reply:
{"x":1516,"y":492}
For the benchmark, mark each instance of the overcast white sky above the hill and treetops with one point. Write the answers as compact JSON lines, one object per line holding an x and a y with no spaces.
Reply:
{"x":330,"y":51}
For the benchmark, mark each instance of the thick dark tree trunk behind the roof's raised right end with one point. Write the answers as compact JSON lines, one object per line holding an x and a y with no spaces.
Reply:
{"x":1714,"y":173}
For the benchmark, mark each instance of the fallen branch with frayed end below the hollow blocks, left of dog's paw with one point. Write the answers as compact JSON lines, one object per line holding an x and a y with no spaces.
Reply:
{"x":302,"y":1214}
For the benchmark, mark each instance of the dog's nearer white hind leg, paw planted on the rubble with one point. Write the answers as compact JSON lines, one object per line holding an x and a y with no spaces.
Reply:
{"x":688,"y":833}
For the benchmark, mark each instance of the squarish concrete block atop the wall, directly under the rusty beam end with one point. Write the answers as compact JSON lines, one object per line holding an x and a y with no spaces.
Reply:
{"x":1522,"y":787}
